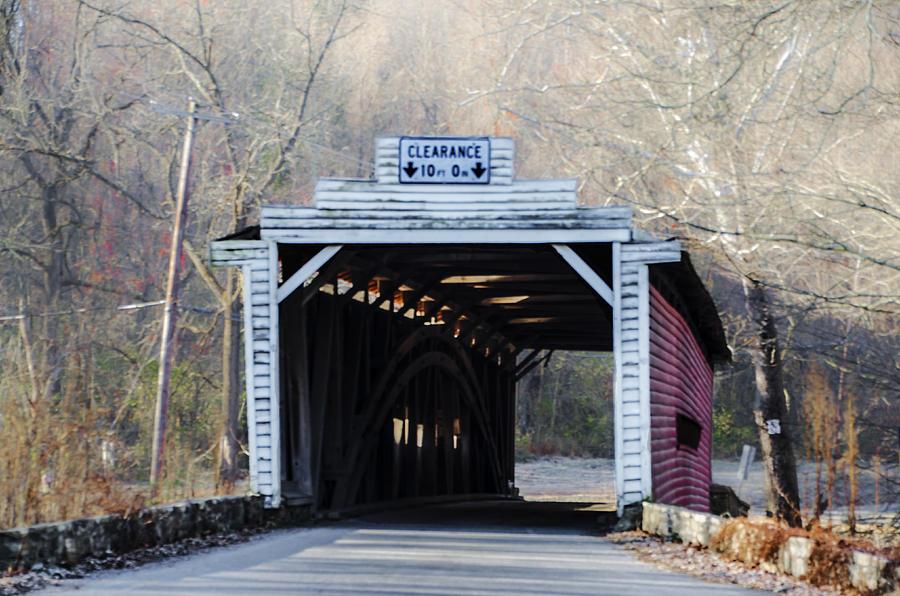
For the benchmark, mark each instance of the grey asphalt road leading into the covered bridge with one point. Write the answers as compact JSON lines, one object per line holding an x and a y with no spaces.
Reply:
{"x":451,"y":550}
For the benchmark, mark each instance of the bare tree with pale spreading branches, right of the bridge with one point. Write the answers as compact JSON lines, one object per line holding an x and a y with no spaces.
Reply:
{"x":738,"y":127}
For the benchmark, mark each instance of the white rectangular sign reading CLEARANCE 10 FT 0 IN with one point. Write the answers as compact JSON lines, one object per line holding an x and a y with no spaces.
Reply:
{"x":445,"y":160}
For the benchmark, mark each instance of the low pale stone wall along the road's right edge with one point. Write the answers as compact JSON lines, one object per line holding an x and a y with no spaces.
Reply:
{"x":871,"y":574}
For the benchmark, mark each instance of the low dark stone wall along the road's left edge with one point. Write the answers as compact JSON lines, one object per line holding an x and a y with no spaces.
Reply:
{"x":66,"y":543}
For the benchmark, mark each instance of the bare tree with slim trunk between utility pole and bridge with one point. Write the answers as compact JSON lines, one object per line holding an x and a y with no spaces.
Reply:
{"x":265,"y":99}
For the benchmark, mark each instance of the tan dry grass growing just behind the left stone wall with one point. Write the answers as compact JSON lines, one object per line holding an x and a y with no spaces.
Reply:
{"x":52,"y":465}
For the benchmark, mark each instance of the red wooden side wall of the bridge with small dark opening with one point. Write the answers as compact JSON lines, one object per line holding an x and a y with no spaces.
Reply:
{"x":681,"y":382}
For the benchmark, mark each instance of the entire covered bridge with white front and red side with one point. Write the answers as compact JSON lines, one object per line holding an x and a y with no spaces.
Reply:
{"x":386,"y":326}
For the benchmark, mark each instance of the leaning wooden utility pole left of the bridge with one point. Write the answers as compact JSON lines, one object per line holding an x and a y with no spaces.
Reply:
{"x":167,"y":340}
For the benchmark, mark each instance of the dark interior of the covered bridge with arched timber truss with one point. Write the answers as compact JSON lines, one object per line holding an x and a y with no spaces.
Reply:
{"x":398,"y":364}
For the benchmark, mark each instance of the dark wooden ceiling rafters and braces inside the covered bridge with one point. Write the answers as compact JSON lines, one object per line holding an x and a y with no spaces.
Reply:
{"x":503,"y":298}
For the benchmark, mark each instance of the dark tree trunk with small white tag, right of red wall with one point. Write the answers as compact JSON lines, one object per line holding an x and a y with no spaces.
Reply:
{"x":769,"y":410}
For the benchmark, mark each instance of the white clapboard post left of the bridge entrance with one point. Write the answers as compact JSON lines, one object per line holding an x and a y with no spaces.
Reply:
{"x":258,"y":259}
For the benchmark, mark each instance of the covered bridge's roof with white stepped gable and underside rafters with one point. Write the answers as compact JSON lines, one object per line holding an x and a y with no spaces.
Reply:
{"x":514,"y":263}
